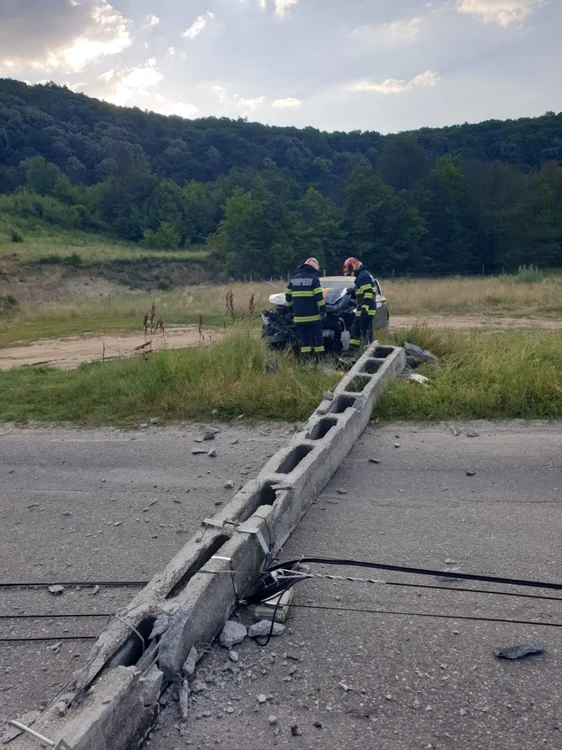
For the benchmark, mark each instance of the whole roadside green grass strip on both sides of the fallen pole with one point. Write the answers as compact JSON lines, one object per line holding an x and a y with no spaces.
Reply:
{"x":479,"y":375}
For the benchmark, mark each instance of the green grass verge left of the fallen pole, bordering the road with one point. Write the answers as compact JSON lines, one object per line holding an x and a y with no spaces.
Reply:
{"x":230,"y":376}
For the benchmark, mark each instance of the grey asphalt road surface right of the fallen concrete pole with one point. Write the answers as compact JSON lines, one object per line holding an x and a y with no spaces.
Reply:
{"x":341,"y":680}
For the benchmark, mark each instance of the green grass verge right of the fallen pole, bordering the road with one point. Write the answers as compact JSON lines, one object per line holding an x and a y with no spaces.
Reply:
{"x":480,"y":375}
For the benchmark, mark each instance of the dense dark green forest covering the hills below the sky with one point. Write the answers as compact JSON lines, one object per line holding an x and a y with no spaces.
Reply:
{"x":260,"y":198}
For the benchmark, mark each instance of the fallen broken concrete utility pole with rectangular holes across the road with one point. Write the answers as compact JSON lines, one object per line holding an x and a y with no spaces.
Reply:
{"x":114,"y":699}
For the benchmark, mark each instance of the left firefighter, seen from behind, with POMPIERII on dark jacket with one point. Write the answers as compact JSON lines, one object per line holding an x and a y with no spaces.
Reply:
{"x":305,"y":300}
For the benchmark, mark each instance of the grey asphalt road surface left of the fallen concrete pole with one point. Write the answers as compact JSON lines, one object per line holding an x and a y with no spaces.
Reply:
{"x":98,"y":505}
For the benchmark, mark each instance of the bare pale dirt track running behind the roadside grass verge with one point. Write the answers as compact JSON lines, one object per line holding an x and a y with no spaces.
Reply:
{"x":70,"y":352}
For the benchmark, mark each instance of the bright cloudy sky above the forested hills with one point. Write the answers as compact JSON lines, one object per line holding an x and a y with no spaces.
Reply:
{"x":385,"y":65}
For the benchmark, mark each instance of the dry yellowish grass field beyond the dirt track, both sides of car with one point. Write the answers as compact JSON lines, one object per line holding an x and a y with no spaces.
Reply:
{"x":124,"y":310}
